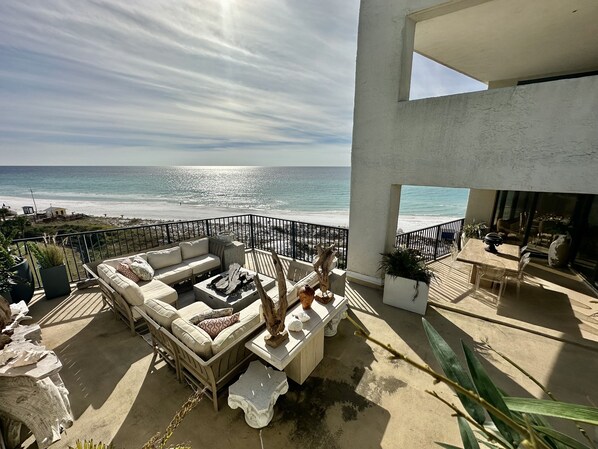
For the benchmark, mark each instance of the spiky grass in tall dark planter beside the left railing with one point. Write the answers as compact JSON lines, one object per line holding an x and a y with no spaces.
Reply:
{"x":50,"y":261}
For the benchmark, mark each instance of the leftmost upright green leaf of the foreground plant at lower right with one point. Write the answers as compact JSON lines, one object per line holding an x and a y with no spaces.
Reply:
{"x":453,"y":370}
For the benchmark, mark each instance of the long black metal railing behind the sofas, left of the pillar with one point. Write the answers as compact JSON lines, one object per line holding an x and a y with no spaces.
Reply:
{"x":287,"y":237}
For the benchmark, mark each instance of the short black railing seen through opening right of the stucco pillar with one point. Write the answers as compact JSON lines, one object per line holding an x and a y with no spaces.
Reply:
{"x":433,"y":242}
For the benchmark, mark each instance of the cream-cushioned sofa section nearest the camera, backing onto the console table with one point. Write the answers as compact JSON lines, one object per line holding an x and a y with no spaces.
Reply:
{"x":212,"y":363}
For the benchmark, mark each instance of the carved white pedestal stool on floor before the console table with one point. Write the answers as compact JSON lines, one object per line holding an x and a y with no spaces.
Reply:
{"x":256,"y":392}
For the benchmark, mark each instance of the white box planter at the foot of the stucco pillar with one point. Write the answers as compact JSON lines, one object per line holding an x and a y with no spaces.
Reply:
{"x":405,"y":294}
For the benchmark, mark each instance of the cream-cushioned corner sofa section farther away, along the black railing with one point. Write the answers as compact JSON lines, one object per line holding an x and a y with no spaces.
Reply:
{"x":186,"y":260}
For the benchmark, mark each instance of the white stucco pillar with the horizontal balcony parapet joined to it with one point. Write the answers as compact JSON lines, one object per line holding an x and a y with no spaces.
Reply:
{"x":540,"y":137}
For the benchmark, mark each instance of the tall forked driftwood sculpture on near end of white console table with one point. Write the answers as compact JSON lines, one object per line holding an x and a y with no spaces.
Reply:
{"x":274,"y":314}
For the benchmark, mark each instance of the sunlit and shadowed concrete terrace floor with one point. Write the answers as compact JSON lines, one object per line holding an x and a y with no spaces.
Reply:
{"x":358,"y":397}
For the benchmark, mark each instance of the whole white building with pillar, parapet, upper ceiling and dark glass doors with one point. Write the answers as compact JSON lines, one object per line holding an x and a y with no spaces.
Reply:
{"x":533,"y":131}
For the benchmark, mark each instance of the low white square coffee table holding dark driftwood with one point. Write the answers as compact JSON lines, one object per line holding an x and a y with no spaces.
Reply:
{"x":238,"y":300}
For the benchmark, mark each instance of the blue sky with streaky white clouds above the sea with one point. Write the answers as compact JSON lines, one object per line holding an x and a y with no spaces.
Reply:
{"x":197,"y":82}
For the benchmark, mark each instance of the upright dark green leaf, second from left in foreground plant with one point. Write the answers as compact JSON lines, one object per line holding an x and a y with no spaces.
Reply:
{"x":492,"y":395}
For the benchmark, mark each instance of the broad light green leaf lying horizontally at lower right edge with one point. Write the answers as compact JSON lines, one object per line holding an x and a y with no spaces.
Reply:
{"x":573,"y":412}
